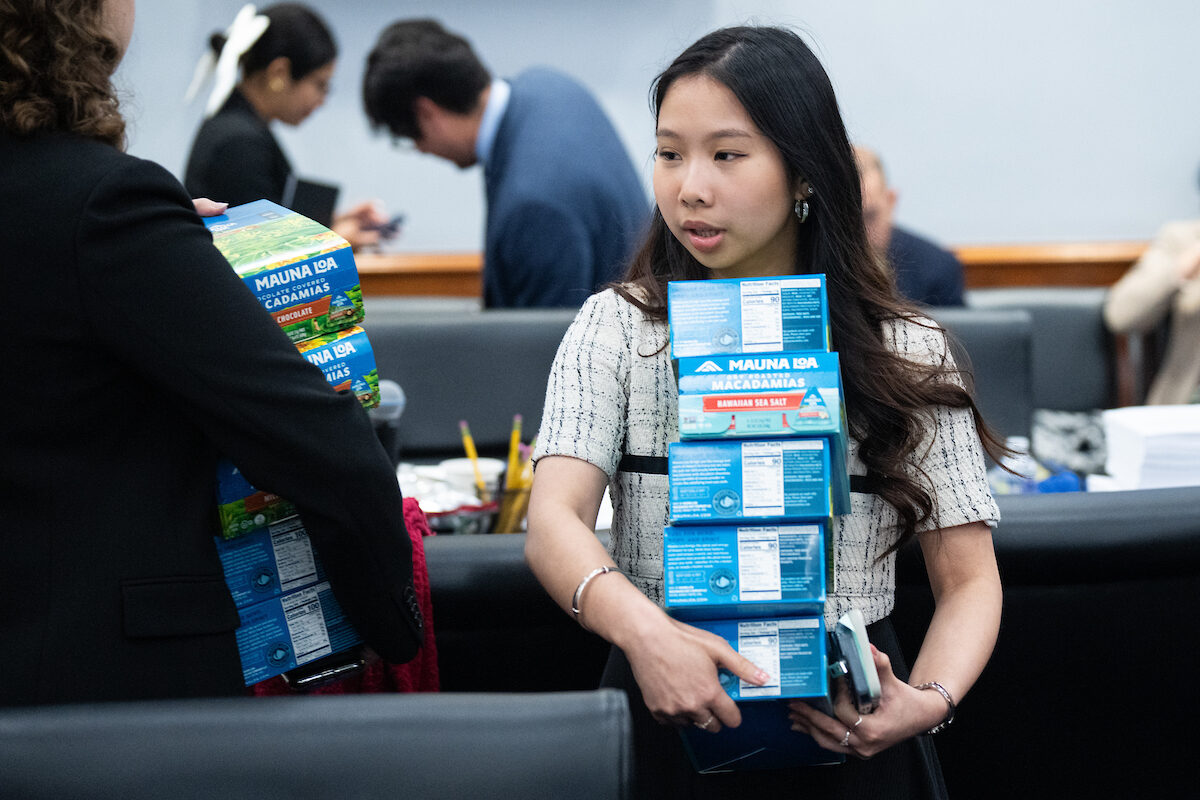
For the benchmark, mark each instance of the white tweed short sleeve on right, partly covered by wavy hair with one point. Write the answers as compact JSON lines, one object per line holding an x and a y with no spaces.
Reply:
{"x":950,"y":460}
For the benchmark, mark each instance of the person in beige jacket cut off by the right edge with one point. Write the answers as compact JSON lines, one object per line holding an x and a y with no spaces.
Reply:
{"x":1165,"y":285}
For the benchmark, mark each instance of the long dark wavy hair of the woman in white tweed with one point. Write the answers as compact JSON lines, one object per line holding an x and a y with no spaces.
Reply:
{"x":788,"y":95}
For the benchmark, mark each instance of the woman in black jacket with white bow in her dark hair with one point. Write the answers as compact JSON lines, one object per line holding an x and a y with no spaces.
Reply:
{"x":287,"y":57}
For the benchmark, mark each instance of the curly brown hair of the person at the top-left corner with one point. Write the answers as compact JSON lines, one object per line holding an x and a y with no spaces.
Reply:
{"x":57,"y":63}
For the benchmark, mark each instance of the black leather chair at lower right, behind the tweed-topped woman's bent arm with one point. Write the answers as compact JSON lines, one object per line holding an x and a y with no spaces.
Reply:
{"x":1091,"y":691}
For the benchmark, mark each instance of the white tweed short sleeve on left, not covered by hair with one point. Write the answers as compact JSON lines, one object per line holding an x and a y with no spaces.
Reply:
{"x":589,"y":388}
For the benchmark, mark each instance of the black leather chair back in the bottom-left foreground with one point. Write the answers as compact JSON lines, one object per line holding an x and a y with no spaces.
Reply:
{"x":410,"y":747}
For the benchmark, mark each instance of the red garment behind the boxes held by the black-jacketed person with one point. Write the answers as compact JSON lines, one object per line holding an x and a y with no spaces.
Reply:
{"x":418,"y":676}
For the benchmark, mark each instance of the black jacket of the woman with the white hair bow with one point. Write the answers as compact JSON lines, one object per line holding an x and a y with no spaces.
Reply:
{"x":236,"y":159}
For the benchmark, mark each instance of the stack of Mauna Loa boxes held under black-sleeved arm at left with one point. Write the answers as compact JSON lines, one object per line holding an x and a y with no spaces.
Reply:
{"x":305,"y":275}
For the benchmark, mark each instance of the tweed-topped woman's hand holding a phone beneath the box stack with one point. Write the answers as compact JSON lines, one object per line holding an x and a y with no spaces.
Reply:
{"x":903,"y":712}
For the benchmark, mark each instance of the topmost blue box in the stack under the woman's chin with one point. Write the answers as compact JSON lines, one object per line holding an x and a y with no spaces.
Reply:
{"x":748,"y":316}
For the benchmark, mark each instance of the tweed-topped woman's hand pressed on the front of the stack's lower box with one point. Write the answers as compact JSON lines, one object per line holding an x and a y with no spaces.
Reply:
{"x":676,"y":666}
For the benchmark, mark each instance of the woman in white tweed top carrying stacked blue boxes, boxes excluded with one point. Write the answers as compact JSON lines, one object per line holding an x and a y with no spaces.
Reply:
{"x":754,"y":177}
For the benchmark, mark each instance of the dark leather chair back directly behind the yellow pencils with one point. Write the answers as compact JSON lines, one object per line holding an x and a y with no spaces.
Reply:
{"x":479,"y":366}
